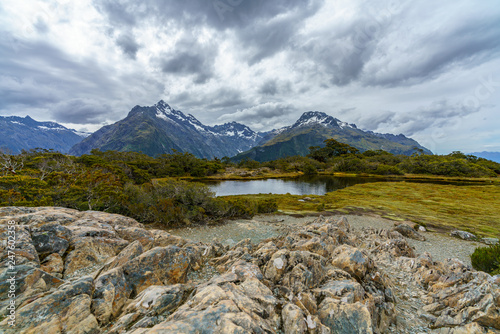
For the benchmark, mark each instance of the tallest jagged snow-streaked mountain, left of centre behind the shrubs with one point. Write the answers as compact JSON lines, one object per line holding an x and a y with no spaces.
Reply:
{"x":159,"y":128}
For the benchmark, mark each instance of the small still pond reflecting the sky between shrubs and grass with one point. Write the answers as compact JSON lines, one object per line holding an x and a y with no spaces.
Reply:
{"x":305,"y":185}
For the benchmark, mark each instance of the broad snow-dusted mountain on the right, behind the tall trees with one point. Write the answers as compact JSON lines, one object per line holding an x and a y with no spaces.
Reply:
{"x":313,"y":127}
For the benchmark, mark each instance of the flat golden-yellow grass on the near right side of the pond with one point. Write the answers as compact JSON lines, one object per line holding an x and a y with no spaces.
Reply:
{"x":446,"y":207}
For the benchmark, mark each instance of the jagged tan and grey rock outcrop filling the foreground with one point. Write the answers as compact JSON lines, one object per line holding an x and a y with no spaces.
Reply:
{"x":92,"y":272}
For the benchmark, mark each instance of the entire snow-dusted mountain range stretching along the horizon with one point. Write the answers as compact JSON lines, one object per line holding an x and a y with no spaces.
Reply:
{"x":160,"y":129}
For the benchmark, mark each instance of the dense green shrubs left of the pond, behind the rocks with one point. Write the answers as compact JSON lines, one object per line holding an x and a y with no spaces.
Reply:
{"x":128,"y":183}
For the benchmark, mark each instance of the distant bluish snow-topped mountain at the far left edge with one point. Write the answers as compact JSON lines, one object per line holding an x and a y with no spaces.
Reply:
{"x":25,"y":133}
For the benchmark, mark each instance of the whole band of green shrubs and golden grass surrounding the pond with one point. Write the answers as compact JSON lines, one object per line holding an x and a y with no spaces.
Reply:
{"x":151,"y":190}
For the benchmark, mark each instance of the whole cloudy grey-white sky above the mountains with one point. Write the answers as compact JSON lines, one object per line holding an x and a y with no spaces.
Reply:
{"x":427,"y":69}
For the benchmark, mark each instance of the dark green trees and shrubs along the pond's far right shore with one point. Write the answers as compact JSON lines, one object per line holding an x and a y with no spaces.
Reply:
{"x":339,"y":157}
